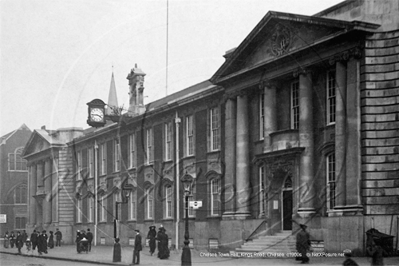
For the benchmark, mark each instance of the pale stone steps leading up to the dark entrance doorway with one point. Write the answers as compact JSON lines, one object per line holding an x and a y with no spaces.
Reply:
{"x":281,"y":243}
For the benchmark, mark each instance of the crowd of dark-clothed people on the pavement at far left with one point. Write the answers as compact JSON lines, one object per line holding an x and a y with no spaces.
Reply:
{"x":37,"y":239}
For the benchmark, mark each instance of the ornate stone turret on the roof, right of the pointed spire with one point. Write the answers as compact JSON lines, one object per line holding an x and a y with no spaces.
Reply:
{"x":136,"y":88}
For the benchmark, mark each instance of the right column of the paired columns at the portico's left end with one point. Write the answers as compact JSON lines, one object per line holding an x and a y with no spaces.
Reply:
{"x":242,"y":158}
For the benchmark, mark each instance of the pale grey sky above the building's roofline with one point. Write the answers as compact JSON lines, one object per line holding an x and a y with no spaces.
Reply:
{"x":58,"y":55}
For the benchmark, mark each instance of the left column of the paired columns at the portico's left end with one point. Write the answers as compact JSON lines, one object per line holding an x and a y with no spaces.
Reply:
{"x":230,"y":158}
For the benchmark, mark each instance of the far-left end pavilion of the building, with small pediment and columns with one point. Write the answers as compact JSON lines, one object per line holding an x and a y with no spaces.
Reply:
{"x":51,"y":181}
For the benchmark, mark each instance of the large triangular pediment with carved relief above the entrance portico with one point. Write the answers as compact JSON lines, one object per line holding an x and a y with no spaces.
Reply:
{"x":280,"y":34}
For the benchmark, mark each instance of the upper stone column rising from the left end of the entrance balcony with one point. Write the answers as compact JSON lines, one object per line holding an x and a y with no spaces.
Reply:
{"x":270,"y":114}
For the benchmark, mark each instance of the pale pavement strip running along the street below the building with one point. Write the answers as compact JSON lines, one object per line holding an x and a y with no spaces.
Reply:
{"x":102,"y":255}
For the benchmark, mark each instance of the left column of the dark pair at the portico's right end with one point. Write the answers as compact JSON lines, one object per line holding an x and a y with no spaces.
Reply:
{"x":340,"y":133}
